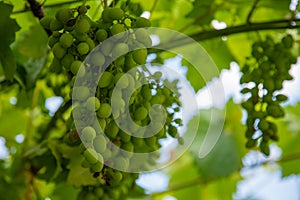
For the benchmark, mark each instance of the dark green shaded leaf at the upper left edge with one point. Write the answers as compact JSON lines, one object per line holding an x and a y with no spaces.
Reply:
{"x":6,"y":38}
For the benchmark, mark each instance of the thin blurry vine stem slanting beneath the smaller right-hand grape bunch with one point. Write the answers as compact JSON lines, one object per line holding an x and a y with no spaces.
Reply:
{"x":200,"y":180}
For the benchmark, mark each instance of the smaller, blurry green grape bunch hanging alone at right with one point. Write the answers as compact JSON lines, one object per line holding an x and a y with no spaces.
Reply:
{"x":263,"y":78}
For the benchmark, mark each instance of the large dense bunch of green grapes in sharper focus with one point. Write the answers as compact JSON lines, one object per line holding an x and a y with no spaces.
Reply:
{"x":141,"y":102}
